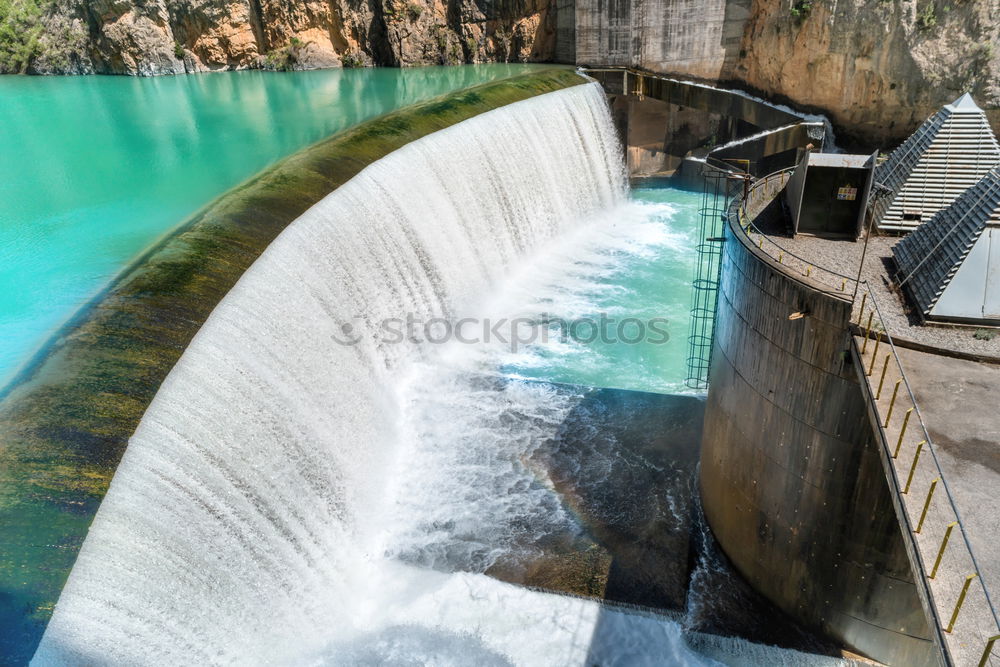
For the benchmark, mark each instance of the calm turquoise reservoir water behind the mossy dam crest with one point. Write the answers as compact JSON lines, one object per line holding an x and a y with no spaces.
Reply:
{"x":94,"y":169}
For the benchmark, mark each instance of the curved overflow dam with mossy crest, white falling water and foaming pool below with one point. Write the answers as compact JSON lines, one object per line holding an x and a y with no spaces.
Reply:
{"x":382,"y":495}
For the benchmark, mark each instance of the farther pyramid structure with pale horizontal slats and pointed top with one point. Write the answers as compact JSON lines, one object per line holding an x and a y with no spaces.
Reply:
{"x":943,"y":158}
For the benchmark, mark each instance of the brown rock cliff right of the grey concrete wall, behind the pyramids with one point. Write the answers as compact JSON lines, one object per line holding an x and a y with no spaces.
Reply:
{"x":878,"y":68}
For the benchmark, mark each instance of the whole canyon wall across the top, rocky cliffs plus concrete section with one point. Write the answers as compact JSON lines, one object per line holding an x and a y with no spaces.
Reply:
{"x":875,"y":67}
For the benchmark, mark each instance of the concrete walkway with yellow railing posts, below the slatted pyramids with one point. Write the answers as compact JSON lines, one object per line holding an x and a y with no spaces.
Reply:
{"x":958,"y":405}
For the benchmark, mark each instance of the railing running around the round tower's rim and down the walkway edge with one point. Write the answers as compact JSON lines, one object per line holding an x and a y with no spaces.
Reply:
{"x":957,"y":595}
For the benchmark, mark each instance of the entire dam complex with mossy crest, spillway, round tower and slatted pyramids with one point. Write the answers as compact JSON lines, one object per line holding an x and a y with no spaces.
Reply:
{"x":593,"y":366}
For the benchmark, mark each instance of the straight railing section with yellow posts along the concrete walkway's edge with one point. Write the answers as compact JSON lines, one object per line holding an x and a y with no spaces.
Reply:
{"x":959,"y":595}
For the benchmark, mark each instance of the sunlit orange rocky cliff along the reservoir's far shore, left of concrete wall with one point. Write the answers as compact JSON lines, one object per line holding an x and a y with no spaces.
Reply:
{"x":175,"y":36}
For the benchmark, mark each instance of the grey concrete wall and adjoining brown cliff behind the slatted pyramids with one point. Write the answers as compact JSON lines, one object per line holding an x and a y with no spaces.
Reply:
{"x":877,"y":68}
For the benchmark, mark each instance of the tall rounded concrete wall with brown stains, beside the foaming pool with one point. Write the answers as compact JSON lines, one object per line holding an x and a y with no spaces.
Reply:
{"x":791,"y":481}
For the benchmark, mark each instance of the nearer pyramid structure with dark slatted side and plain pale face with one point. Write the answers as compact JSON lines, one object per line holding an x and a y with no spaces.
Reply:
{"x":930,"y":257}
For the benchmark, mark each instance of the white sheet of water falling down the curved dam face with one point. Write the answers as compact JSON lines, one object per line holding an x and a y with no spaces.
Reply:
{"x":245,"y":523}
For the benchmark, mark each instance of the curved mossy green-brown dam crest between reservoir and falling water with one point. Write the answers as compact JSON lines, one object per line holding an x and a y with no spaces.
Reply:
{"x":66,"y":418}
